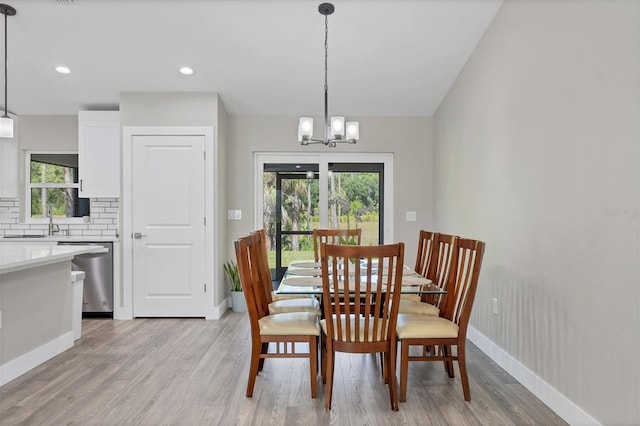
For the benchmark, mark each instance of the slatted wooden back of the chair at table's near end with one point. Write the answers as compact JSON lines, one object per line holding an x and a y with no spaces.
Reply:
{"x":361,"y":289}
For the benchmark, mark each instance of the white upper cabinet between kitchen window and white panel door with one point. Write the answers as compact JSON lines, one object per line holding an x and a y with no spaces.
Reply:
{"x":99,"y":153}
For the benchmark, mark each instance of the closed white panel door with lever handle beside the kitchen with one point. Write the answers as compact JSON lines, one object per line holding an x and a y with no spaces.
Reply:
{"x":168,"y":214}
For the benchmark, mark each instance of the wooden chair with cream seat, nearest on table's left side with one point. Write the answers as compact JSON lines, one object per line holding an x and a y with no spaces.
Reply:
{"x":285,"y":330}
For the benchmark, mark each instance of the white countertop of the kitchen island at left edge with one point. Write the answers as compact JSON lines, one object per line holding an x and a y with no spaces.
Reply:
{"x":16,"y":257}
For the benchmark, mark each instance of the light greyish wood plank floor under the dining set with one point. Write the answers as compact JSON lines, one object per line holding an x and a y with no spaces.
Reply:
{"x":194,"y":372}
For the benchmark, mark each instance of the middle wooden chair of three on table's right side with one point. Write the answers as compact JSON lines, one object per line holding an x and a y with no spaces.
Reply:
{"x":438,"y":271}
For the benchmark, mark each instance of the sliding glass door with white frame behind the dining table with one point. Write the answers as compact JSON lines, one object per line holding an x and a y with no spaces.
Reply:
{"x":298,"y":196}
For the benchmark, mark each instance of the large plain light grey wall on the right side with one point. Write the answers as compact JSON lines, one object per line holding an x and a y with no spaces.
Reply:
{"x":538,"y":154}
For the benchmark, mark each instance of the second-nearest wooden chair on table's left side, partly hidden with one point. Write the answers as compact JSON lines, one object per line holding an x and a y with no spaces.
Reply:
{"x":278,"y":305}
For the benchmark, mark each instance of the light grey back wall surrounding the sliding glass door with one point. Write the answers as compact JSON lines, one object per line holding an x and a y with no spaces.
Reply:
{"x":408,"y":138}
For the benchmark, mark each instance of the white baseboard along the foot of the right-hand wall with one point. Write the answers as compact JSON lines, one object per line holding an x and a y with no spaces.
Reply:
{"x":563,"y":406}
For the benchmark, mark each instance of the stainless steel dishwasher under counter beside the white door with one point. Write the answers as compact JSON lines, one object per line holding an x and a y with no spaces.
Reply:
{"x":97,"y":297}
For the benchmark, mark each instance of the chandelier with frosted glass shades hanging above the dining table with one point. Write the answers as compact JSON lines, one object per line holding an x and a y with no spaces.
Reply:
{"x":335,"y":130}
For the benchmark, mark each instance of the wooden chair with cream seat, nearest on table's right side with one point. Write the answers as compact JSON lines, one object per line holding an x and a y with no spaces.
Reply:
{"x":437,"y":335}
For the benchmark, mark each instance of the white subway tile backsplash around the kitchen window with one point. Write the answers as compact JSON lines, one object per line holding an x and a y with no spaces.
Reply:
{"x":102,"y":223}
